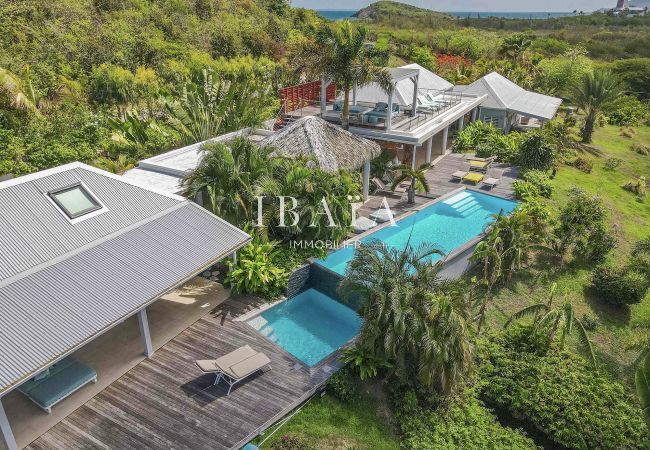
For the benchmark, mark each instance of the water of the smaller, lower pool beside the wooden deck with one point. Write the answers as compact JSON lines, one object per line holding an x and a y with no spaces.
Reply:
{"x":310,"y":326}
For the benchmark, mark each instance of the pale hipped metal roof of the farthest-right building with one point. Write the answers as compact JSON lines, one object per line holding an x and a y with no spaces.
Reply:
{"x":504,"y":94}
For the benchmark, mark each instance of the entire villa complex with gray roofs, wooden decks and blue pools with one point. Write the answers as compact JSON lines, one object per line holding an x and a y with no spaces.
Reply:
{"x":102,"y":317}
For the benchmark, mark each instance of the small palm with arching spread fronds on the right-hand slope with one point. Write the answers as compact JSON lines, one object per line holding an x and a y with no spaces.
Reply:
{"x":550,"y":320}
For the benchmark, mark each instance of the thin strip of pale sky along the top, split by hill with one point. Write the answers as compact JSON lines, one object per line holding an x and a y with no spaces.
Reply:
{"x":471,"y":5}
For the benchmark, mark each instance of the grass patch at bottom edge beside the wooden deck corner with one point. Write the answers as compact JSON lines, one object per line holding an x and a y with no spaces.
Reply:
{"x":327,"y":423}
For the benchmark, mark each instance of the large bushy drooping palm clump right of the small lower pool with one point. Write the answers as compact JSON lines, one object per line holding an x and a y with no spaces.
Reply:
{"x":411,"y":325}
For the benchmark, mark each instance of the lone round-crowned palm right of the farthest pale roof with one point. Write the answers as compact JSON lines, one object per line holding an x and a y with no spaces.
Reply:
{"x":591,"y":94}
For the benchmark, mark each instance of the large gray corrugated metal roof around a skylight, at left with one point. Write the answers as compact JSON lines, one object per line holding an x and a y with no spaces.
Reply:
{"x":63,"y":283}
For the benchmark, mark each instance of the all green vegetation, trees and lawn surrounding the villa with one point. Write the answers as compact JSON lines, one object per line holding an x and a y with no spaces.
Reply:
{"x":112,"y":81}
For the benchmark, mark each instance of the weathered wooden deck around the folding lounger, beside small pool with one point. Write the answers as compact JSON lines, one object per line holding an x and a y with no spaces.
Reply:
{"x":165,"y":401}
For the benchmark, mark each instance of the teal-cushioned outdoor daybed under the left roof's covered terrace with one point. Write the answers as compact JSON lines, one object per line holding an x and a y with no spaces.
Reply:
{"x":57,"y":382}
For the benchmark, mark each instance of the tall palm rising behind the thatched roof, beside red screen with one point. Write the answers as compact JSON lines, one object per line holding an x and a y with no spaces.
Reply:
{"x":338,"y":53}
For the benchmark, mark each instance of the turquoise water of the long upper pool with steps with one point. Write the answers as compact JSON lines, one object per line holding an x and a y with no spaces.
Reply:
{"x":448,"y":223}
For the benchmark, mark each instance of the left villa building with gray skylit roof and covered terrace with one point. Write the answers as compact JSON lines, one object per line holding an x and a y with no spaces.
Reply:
{"x":84,"y":252}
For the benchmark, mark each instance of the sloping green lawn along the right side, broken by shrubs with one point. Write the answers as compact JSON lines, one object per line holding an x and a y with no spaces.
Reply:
{"x":630,"y":220}
